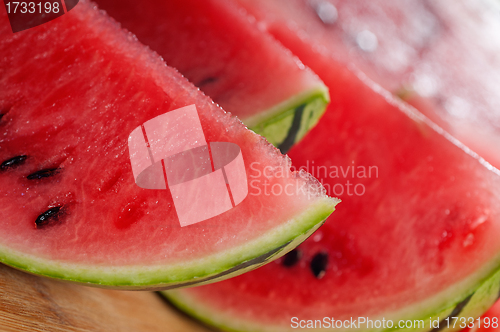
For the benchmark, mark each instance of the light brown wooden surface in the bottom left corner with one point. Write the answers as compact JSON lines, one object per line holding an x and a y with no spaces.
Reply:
{"x":31,"y":303}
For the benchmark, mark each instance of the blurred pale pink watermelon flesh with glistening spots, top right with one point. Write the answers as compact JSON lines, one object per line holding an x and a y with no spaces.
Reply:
{"x":445,"y":51}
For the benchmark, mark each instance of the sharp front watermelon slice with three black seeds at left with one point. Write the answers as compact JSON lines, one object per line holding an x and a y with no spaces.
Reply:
{"x":72,"y":91}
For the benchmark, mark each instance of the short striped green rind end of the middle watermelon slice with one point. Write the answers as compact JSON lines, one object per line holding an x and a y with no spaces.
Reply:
{"x":289,"y":121}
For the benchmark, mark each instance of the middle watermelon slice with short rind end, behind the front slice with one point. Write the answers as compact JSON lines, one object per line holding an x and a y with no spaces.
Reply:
{"x":221,"y":51}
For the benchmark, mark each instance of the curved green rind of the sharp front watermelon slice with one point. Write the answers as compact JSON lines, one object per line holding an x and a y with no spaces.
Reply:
{"x":204,"y":270}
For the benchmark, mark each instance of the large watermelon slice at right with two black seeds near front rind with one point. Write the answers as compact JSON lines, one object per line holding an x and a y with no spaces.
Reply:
{"x":416,"y":240}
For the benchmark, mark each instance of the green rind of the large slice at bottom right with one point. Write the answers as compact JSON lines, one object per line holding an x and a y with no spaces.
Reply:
{"x":477,"y":294}
